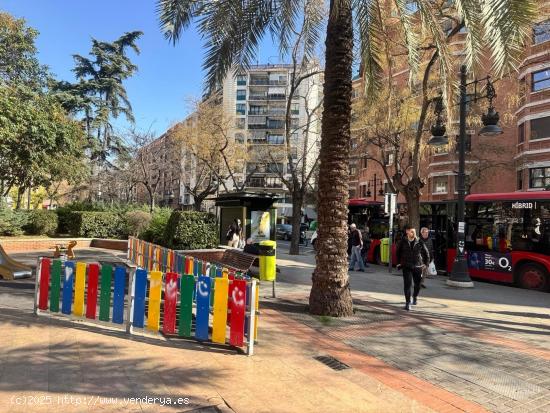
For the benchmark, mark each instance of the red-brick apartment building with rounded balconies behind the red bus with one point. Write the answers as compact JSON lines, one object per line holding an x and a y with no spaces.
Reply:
{"x":517,"y":160}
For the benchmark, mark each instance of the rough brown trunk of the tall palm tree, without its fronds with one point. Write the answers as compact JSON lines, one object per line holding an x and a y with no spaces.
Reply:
{"x":330,"y":293}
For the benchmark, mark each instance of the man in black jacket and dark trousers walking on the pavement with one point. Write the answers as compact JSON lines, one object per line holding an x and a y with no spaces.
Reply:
{"x":412,"y":258}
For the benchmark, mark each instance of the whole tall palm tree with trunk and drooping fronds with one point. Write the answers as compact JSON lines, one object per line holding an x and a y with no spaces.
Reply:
{"x":232,"y":30}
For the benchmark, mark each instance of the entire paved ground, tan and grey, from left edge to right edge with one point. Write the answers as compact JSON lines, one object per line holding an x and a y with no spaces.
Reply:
{"x":480,"y":350}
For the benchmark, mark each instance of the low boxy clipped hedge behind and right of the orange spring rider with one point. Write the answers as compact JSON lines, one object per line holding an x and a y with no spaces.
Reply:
{"x":95,"y":224}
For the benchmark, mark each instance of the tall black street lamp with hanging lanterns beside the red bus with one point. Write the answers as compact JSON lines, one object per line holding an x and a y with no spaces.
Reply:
{"x":459,"y":276}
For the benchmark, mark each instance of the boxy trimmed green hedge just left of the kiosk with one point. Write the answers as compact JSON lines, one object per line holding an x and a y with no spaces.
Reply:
{"x":188,"y":230}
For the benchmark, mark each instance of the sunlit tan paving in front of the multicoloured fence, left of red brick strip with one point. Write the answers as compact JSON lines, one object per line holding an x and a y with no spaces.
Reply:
{"x":51,"y":365}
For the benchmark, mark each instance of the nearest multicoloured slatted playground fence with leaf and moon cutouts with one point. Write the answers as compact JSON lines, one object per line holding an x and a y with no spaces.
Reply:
{"x":227,"y":305}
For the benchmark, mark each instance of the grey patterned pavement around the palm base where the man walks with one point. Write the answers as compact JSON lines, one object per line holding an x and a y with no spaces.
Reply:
{"x":489,"y":345}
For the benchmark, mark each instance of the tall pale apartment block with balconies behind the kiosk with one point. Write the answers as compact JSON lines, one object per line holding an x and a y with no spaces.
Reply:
{"x":257,"y":100}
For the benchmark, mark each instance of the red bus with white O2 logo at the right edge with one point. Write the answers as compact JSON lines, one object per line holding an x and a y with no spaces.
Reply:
{"x":508,"y":238}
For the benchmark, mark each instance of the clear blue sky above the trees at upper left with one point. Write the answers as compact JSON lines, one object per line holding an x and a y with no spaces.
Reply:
{"x":168,"y":75}
